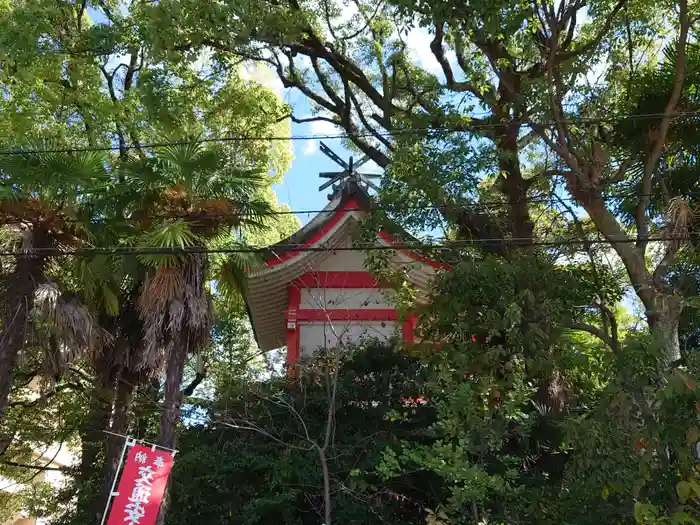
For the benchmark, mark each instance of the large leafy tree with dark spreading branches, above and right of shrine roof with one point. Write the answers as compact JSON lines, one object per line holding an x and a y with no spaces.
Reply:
{"x":511,"y":80}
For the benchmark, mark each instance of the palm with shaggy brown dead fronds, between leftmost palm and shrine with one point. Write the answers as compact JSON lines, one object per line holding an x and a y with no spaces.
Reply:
{"x":189,"y":197}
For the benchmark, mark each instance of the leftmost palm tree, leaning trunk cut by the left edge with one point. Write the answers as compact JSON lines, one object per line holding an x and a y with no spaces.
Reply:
{"x":45,"y":206}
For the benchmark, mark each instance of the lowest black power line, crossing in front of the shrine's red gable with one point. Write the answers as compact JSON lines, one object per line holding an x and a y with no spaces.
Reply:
{"x":413,"y":246}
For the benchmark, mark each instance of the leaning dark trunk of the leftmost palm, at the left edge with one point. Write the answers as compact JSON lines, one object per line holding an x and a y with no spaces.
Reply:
{"x":20,"y":300}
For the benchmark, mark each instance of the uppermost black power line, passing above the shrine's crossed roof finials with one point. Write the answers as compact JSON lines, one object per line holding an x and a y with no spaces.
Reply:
{"x":366,"y":134}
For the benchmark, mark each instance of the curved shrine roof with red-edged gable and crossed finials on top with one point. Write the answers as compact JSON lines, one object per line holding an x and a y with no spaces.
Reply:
{"x":331,"y":230}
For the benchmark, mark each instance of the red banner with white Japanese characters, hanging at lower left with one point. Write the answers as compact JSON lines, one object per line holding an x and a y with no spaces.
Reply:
{"x":141,"y":487}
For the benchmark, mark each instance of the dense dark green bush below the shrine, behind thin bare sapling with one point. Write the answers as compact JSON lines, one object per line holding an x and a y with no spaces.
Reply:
{"x":234,"y":473}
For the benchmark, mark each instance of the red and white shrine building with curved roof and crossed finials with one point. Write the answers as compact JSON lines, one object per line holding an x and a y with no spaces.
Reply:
{"x":314,"y":290}
